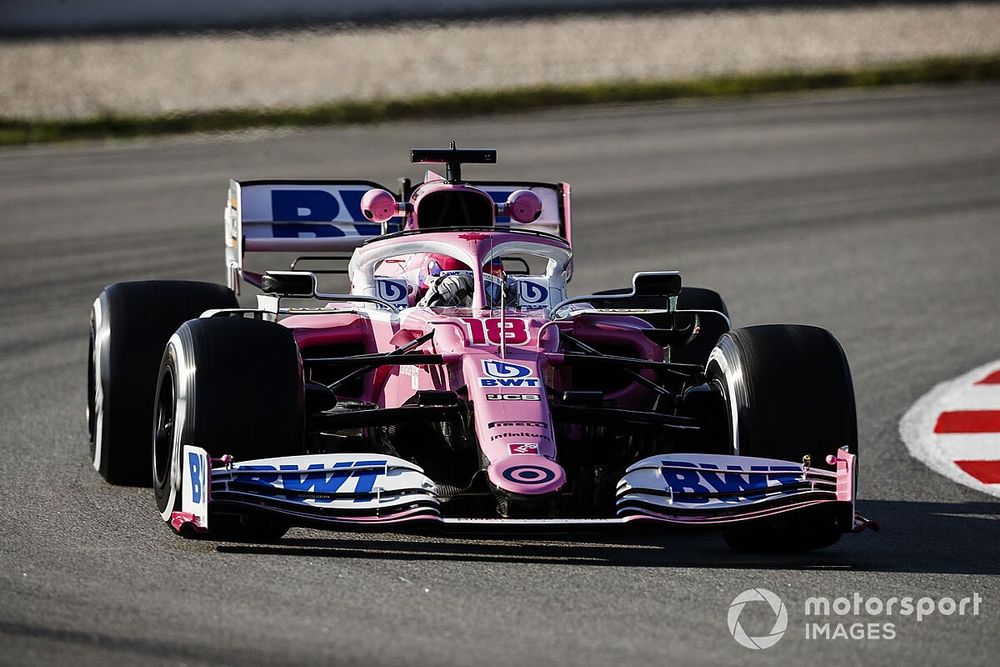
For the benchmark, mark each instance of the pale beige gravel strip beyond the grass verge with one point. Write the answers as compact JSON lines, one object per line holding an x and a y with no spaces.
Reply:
{"x":162,"y":74}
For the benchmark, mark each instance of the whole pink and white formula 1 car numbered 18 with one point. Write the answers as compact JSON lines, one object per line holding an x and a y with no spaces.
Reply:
{"x":456,"y":384}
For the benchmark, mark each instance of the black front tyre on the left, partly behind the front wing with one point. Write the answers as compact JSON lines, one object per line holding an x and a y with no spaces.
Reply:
{"x":230,"y":386}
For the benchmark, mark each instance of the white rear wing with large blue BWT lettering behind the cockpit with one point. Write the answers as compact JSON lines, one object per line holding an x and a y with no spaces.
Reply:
{"x":308,"y":217}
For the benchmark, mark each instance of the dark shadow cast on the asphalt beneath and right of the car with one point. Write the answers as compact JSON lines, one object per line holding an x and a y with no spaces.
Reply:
{"x":917,"y":537}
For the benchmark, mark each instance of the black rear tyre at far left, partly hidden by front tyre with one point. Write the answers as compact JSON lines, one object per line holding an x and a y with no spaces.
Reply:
{"x":130,"y":324}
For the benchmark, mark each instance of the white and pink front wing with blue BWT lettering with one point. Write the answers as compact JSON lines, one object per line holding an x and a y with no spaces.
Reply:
{"x":372,"y":490}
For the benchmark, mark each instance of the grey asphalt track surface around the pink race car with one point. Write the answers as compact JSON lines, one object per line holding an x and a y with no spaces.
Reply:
{"x":875,"y":214}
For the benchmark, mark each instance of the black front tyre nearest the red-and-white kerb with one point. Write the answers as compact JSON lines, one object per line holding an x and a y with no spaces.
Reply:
{"x":788,"y":394}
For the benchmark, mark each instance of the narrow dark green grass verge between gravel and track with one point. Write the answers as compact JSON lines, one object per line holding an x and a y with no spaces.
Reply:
{"x":513,"y":100}
